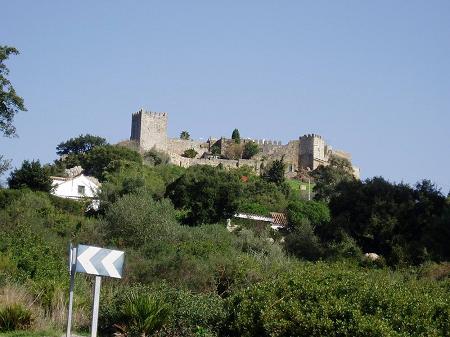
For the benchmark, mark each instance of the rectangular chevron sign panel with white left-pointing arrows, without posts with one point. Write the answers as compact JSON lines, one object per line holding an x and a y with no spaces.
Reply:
{"x":99,"y":261}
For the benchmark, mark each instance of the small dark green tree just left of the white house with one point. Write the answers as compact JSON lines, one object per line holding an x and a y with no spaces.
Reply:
{"x":31,"y":175}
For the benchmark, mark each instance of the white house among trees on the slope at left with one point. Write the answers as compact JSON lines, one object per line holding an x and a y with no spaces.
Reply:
{"x":76,"y":186}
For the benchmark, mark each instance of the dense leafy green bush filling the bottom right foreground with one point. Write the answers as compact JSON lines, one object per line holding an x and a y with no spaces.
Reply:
{"x":339,"y":300}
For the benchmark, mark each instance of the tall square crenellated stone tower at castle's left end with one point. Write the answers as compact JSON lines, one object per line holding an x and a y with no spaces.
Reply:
{"x":149,"y":129}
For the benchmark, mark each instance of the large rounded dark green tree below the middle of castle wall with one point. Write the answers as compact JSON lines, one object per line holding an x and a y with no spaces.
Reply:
{"x":208,"y":194}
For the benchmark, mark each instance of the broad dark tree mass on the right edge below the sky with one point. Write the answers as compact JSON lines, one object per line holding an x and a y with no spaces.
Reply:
{"x":403,"y":224}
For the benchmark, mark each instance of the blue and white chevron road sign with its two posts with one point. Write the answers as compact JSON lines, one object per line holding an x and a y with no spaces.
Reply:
{"x":95,"y":261}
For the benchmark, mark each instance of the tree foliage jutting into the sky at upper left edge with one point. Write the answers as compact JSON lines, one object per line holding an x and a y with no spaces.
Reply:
{"x":10,"y":102}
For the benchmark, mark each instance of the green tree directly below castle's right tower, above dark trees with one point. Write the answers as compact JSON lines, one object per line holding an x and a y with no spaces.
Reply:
{"x":328,"y":177}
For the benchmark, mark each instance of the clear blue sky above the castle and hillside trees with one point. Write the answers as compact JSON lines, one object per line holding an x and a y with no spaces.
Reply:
{"x":372,"y":77}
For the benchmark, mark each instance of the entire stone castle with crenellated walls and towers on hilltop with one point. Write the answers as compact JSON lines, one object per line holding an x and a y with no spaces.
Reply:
{"x":149,"y":130}
